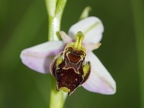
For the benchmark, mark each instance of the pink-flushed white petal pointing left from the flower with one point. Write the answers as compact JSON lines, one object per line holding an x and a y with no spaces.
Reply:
{"x":39,"y":57}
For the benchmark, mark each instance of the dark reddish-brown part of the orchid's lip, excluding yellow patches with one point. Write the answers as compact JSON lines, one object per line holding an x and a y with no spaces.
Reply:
{"x":69,"y":72}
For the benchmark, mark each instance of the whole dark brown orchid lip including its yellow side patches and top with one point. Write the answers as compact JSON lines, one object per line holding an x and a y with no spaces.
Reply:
{"x":70,"y":68}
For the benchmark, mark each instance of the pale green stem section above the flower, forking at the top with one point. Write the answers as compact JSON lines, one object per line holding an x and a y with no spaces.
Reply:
{"x":55,"y":14}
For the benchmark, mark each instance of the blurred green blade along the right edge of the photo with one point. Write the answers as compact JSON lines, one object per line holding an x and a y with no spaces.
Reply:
{"x":138,"y":17}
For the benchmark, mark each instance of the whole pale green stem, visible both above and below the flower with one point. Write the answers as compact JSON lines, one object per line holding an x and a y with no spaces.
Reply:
{"x":55,"y":10}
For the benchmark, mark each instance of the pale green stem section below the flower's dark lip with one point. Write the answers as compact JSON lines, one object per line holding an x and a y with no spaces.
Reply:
{"x":57,"y":98}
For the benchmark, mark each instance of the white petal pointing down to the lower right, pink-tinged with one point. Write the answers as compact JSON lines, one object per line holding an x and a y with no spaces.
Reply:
{"x":100,"y":80}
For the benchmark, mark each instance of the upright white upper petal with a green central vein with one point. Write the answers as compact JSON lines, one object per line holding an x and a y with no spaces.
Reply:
{"x":92,"y":27}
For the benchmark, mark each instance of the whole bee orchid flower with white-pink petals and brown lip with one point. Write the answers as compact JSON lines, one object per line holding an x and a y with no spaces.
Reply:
{"x":71,"y":61}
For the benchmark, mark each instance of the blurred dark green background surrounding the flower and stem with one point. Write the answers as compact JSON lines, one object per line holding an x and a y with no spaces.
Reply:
{"x":23,"y":23}
